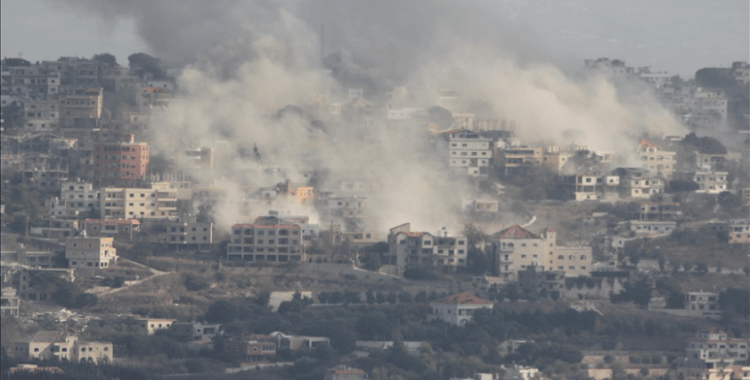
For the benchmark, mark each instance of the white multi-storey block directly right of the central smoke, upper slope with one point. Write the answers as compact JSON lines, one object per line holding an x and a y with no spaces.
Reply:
{"x":468,"y":153}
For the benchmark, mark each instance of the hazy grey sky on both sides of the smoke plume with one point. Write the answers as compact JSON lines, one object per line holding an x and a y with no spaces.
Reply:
{"x":679,"y":36}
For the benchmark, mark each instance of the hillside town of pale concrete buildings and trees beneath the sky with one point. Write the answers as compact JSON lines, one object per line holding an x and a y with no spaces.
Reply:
{"x":378,"y":234}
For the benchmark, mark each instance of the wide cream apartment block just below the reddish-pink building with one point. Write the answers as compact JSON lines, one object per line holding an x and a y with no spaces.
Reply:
{"x":158,"y":202}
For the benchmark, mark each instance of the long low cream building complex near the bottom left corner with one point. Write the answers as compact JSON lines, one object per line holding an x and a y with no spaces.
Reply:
{"x":60,"y":346}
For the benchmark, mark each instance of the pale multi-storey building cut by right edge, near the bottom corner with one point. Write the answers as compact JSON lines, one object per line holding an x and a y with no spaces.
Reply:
{"x":714,"y":345}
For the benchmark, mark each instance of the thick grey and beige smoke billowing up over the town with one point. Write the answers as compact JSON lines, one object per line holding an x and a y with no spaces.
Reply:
{"x":244,"y":61}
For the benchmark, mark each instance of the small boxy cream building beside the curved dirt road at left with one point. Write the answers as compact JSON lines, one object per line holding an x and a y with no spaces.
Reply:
{"x":90,"y":252}
